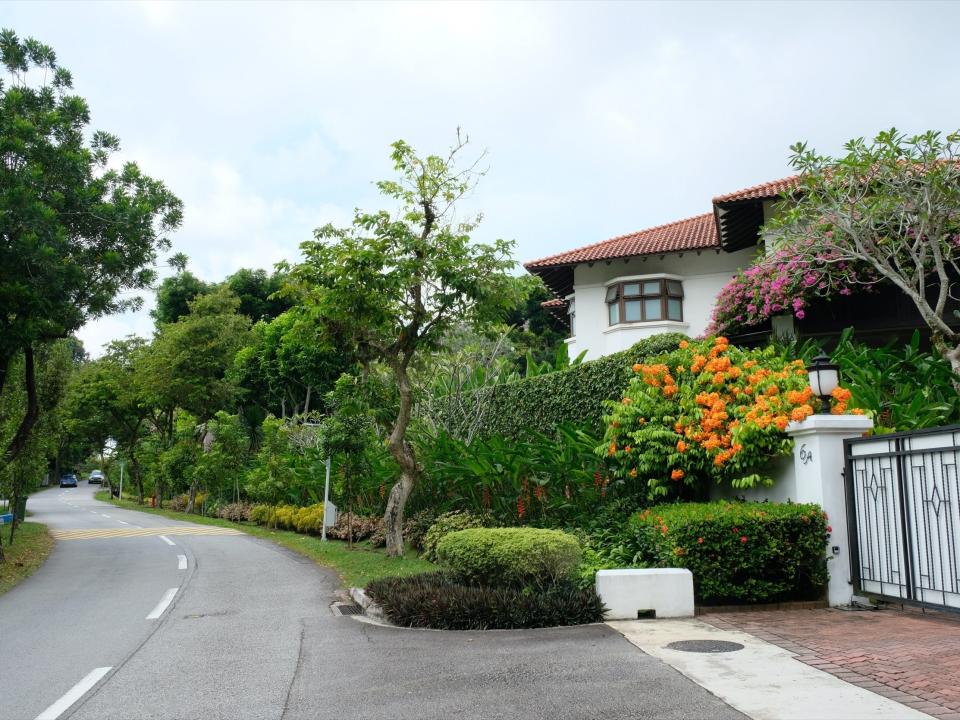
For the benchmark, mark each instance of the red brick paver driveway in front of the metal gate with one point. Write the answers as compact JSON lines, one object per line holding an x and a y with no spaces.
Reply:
{"x":907,"y":655}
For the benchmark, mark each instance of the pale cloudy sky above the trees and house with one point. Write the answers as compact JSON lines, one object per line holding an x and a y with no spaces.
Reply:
{"x":598,"y":119}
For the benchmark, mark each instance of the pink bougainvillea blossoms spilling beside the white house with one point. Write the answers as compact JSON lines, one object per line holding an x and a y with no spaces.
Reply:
{"x":784,"y":281}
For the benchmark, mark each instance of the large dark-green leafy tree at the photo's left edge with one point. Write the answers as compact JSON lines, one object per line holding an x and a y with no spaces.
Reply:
{"x":75,"y":233}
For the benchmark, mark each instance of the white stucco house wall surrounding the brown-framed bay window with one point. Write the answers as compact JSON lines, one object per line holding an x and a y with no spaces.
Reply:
{"x":702,"y":275}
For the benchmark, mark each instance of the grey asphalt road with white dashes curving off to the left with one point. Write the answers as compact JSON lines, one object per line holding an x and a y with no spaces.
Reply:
{"x":249,"y":633}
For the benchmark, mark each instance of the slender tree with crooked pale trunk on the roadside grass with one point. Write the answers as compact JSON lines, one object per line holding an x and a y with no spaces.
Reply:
{"x":392,"y":286}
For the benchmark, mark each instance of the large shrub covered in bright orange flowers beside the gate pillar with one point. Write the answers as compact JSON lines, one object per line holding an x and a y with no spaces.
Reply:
{"x":708,"y":411}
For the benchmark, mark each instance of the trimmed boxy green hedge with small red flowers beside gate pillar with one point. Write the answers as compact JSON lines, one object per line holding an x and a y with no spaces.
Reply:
{"x":739,"y":552}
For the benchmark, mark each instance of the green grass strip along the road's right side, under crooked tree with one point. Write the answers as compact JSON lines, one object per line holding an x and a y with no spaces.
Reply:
{"x":356,"y":566}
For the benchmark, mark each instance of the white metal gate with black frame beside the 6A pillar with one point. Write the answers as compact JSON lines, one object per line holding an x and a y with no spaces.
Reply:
{"x":904,"y":515}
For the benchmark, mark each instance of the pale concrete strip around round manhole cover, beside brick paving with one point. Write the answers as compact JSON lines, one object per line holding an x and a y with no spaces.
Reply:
{"x":762,"y":680}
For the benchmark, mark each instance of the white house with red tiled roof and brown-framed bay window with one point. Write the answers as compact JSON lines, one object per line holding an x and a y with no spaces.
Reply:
{"x":664,"y":279}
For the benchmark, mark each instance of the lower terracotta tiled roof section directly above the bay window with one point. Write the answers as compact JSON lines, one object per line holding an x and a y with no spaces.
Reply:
{"x":694,"y":233}
